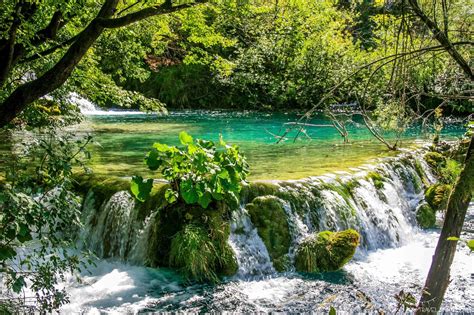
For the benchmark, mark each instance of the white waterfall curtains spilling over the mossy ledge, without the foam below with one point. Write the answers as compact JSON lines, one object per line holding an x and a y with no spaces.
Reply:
{"x":380,"y":207}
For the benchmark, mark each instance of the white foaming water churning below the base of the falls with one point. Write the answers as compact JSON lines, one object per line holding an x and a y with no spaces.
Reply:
{"x":118,"y":288}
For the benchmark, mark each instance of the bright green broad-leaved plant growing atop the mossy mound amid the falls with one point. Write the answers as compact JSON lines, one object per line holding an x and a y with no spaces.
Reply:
{"x":200,"y":173}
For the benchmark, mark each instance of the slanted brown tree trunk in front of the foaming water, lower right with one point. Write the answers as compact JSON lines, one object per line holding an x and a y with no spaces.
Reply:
{"x":438,"y":277}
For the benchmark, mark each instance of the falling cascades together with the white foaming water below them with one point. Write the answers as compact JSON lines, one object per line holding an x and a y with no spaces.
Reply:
{"x":394,"y":252}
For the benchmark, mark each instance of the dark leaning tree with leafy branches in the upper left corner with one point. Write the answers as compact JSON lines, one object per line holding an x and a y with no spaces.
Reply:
{"x":26,"y":15}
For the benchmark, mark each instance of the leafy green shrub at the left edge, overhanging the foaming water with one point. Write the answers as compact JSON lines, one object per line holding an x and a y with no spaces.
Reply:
{"x":38,"y":218}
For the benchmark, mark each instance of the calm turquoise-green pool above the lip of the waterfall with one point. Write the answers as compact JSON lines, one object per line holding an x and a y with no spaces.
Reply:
{"x":122,"y":140}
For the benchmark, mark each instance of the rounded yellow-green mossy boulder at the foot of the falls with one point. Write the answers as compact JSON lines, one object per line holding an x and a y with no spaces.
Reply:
{"x":326,"y":251}
